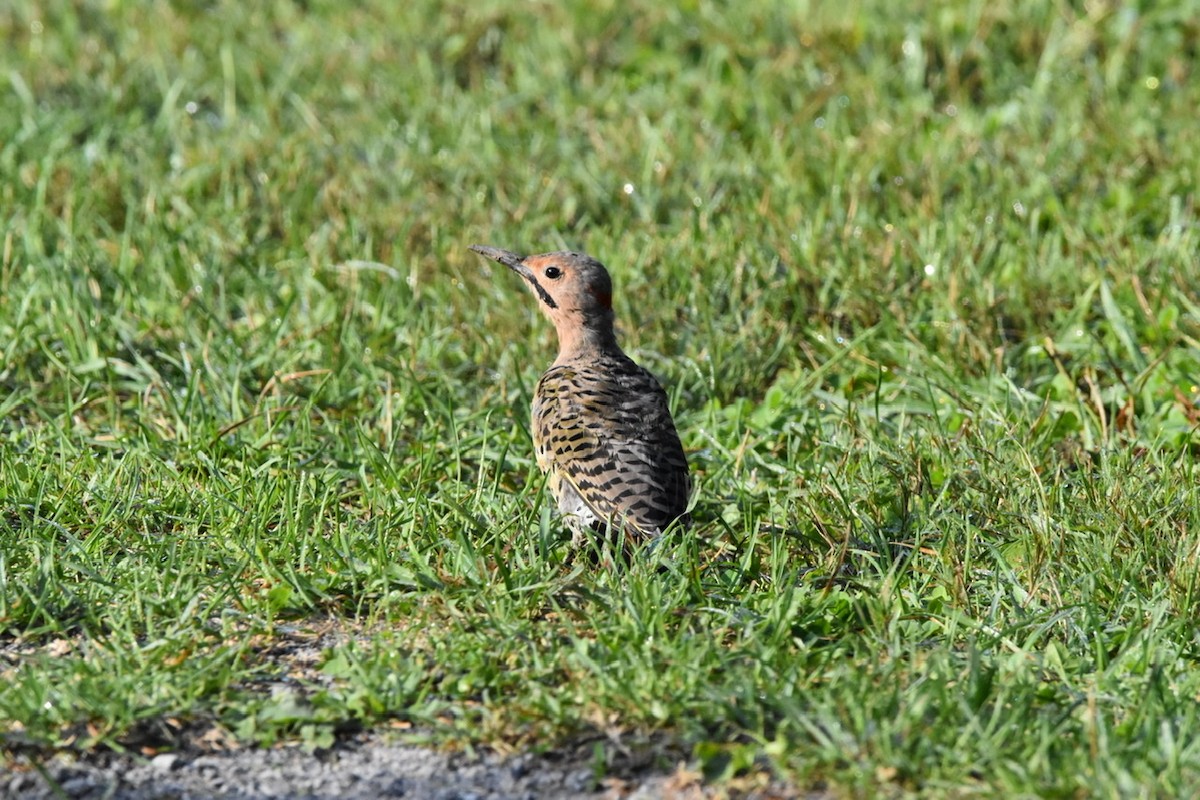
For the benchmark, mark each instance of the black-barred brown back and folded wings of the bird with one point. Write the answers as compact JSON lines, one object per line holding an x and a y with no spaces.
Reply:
{"x":609,"y":434}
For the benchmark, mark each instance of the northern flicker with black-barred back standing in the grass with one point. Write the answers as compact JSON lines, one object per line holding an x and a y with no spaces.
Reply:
{"x":602,"y":428}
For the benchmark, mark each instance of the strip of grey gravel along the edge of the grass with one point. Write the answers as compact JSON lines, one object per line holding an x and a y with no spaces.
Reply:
{"x":365,"y":768}
